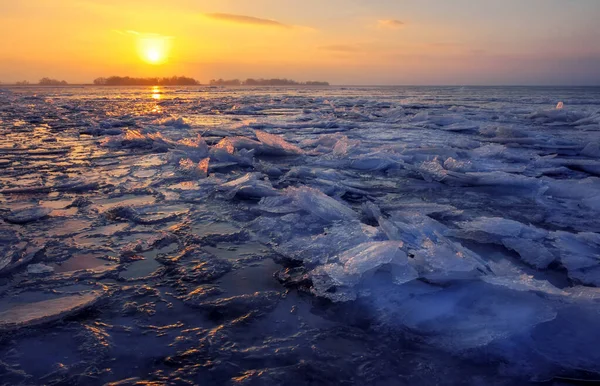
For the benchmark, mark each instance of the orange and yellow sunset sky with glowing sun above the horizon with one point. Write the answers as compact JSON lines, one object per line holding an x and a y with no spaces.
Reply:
{"x":358,"y":42}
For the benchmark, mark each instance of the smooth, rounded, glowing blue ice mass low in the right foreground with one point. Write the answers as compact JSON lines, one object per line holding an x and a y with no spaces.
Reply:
{"x":473,"y":315}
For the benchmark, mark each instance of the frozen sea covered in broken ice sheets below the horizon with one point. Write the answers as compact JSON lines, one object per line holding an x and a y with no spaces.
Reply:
{"x":296,"y":236}
